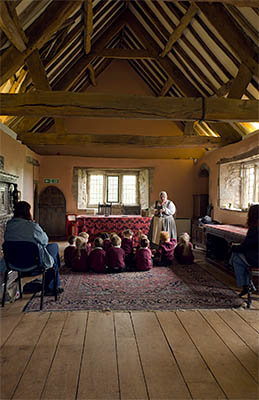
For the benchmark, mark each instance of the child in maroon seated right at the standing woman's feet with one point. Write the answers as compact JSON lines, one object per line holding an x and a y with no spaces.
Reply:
{"x":164,"y":255}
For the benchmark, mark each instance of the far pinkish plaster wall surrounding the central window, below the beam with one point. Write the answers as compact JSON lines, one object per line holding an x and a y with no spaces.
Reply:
{"x":174,"y":176}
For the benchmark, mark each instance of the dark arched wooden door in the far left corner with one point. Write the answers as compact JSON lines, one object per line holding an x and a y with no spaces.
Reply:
{"x":52,"y":212}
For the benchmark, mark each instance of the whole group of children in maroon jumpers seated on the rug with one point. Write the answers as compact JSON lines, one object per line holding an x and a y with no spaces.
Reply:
{"x":110,"y":253}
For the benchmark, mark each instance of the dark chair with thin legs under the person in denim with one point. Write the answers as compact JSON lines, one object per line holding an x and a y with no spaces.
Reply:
{"x":24,"y":257}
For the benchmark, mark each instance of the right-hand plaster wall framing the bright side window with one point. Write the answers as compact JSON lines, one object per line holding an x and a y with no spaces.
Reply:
{"x":211,"y":158}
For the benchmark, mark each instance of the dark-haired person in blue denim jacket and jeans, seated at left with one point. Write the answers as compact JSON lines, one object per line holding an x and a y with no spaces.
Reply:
{"x":22,"y":228}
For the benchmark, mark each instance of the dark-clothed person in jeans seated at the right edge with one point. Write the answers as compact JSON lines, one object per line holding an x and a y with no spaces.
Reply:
{"x":246,"y":254}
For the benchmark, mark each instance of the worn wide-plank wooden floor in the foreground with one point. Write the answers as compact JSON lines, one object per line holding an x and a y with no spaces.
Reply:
{"x":130,"y":355}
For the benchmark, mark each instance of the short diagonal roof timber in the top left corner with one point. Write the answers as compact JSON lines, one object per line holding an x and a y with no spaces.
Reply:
{"x":10,"y":24}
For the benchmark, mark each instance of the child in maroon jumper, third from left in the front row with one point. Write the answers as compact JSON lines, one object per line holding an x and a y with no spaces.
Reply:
{"x":115,"y":256}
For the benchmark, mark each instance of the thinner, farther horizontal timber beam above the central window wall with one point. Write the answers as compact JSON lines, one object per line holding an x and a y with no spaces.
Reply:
{"x":191,"y":141}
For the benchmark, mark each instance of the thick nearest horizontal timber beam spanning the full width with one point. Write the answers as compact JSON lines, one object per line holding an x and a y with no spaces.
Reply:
{"x":136,"y":107}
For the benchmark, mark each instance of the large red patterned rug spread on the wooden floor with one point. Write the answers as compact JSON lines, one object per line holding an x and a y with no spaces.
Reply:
{"x":162,"y":288}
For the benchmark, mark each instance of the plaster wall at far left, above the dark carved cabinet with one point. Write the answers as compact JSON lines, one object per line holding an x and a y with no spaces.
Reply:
{"x":15,"y":163}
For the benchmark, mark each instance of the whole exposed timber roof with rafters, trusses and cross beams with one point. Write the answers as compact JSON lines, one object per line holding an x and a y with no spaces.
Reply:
{"x":206,"y":51}
